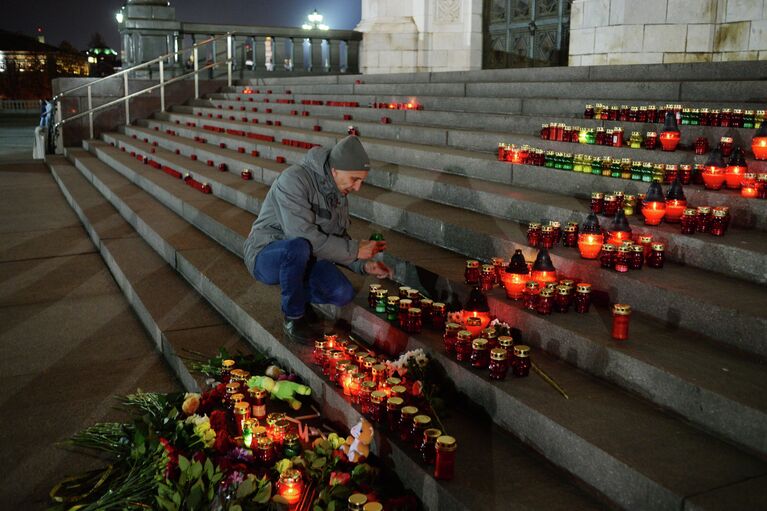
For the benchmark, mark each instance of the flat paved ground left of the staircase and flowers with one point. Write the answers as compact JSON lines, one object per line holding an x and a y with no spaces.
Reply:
{"x":69,"y":340}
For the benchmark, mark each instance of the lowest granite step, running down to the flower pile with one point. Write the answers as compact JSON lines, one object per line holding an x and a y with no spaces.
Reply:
{"x":176,"y":317}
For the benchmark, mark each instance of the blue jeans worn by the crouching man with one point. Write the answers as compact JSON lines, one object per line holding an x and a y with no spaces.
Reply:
{"x":302,"y":278}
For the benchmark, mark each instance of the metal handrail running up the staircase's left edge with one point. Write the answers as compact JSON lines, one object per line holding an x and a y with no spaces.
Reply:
{"x":126,"y":97}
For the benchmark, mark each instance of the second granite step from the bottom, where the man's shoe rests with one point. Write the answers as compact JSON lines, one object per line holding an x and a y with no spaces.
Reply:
{"x":221,"y":278}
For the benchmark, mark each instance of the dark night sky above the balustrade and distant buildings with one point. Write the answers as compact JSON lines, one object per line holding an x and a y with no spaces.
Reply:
{"x":76,"y":20}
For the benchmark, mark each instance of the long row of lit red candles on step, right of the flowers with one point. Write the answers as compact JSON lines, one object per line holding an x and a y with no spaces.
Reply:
{"x":384,"y":400}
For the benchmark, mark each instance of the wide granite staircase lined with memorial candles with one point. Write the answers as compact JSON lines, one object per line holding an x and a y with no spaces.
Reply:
{"x":675,"y":418}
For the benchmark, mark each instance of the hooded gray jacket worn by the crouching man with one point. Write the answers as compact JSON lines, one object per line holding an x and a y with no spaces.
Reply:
{"x":304,"y":202}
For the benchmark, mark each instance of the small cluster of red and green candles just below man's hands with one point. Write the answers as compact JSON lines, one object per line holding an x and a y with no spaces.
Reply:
{"x":408,"y":309}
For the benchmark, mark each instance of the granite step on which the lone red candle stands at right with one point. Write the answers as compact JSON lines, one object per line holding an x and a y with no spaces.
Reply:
{"x":663,"y":374}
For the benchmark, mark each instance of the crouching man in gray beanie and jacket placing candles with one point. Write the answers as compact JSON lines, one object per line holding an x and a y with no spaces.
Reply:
{"x":301,"y":235}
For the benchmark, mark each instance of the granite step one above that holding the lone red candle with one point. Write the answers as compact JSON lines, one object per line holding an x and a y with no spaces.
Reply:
{"x":701,"y":307}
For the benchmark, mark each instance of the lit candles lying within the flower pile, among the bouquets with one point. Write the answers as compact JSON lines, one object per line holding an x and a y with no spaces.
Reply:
{"x":269,"y":436}
